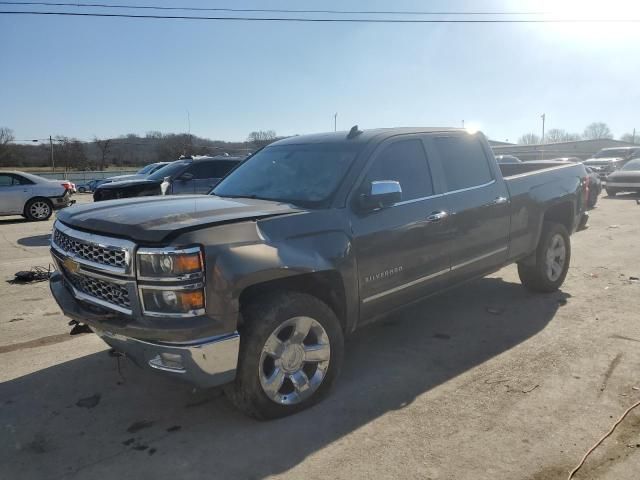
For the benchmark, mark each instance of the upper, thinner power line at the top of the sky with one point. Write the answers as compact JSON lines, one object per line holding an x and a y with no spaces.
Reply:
{"x":267,"y":10}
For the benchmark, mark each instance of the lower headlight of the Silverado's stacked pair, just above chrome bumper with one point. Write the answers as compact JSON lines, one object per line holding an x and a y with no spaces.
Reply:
{"x":168,"y":302}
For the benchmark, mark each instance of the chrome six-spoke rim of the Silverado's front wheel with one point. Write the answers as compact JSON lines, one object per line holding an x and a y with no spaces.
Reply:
{"x":294,"y":360}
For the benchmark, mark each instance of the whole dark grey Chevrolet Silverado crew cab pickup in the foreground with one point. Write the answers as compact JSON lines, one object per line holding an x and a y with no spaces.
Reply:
{"x":256,"y":285}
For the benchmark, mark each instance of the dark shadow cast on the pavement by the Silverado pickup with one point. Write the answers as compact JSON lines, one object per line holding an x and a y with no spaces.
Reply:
{"x":82,"y":419}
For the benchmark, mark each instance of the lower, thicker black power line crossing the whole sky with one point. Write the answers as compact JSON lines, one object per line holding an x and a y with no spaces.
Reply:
{"x":319,"y":20}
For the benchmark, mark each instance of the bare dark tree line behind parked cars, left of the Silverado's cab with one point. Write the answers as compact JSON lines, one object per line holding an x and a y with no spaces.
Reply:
{"x":130,"y":150}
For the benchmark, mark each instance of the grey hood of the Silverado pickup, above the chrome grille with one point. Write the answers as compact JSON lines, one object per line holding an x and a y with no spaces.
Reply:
{"x":151,"y":220}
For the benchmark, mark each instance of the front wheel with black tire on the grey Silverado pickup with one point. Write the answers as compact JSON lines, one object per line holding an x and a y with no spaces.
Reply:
{"x":291,"y":350}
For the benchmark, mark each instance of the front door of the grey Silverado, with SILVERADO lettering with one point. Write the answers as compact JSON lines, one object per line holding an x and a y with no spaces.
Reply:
{"x":401,"y":250}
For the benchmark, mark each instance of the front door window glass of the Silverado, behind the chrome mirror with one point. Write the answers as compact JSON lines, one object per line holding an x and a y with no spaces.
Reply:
{"x":406,"y":163}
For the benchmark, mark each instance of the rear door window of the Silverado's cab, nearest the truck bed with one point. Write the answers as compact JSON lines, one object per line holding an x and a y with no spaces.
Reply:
{"x":463,"y":161}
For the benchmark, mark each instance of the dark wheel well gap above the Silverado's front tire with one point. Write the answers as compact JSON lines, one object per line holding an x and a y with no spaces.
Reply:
{"x":326,"y":286}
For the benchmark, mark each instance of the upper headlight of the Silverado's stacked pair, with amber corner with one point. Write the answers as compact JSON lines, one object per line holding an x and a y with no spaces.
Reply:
{"x":167,"y":263}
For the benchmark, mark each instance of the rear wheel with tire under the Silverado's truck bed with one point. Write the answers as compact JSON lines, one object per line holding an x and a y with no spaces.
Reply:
{"x":553,"y":256}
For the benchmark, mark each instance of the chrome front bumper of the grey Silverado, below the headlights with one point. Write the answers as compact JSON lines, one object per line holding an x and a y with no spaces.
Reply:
{"x":204,"y":363}
